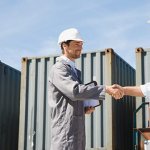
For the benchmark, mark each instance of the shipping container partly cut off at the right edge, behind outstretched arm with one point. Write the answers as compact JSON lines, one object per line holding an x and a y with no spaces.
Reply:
{"x":142,"y":77}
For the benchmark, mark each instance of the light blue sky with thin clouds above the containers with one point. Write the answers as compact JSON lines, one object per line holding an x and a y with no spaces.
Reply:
{"x":30,"y":28}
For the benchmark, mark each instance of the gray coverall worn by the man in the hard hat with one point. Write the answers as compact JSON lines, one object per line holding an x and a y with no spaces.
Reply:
{"x":66,"y":95}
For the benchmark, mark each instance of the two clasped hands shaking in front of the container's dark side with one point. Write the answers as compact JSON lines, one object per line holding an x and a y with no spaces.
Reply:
{"x":115,"y":91}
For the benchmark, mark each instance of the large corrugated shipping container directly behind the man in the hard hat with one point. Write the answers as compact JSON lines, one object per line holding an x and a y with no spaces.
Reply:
{"x":109,"y":127}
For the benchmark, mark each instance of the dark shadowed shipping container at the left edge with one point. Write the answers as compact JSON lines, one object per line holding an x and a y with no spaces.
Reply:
{"x":9,"y":107}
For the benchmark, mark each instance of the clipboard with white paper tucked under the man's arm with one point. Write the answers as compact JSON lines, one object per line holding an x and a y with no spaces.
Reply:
{"x":92,"y":102}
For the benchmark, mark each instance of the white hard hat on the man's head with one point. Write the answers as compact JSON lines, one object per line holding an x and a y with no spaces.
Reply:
{"x":69,"y":34}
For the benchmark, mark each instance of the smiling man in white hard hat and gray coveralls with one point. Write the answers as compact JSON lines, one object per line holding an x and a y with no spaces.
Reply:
{"x":66,"y":95}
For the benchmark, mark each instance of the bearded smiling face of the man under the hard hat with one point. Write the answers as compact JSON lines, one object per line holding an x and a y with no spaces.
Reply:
{"x":73,"y":50}
